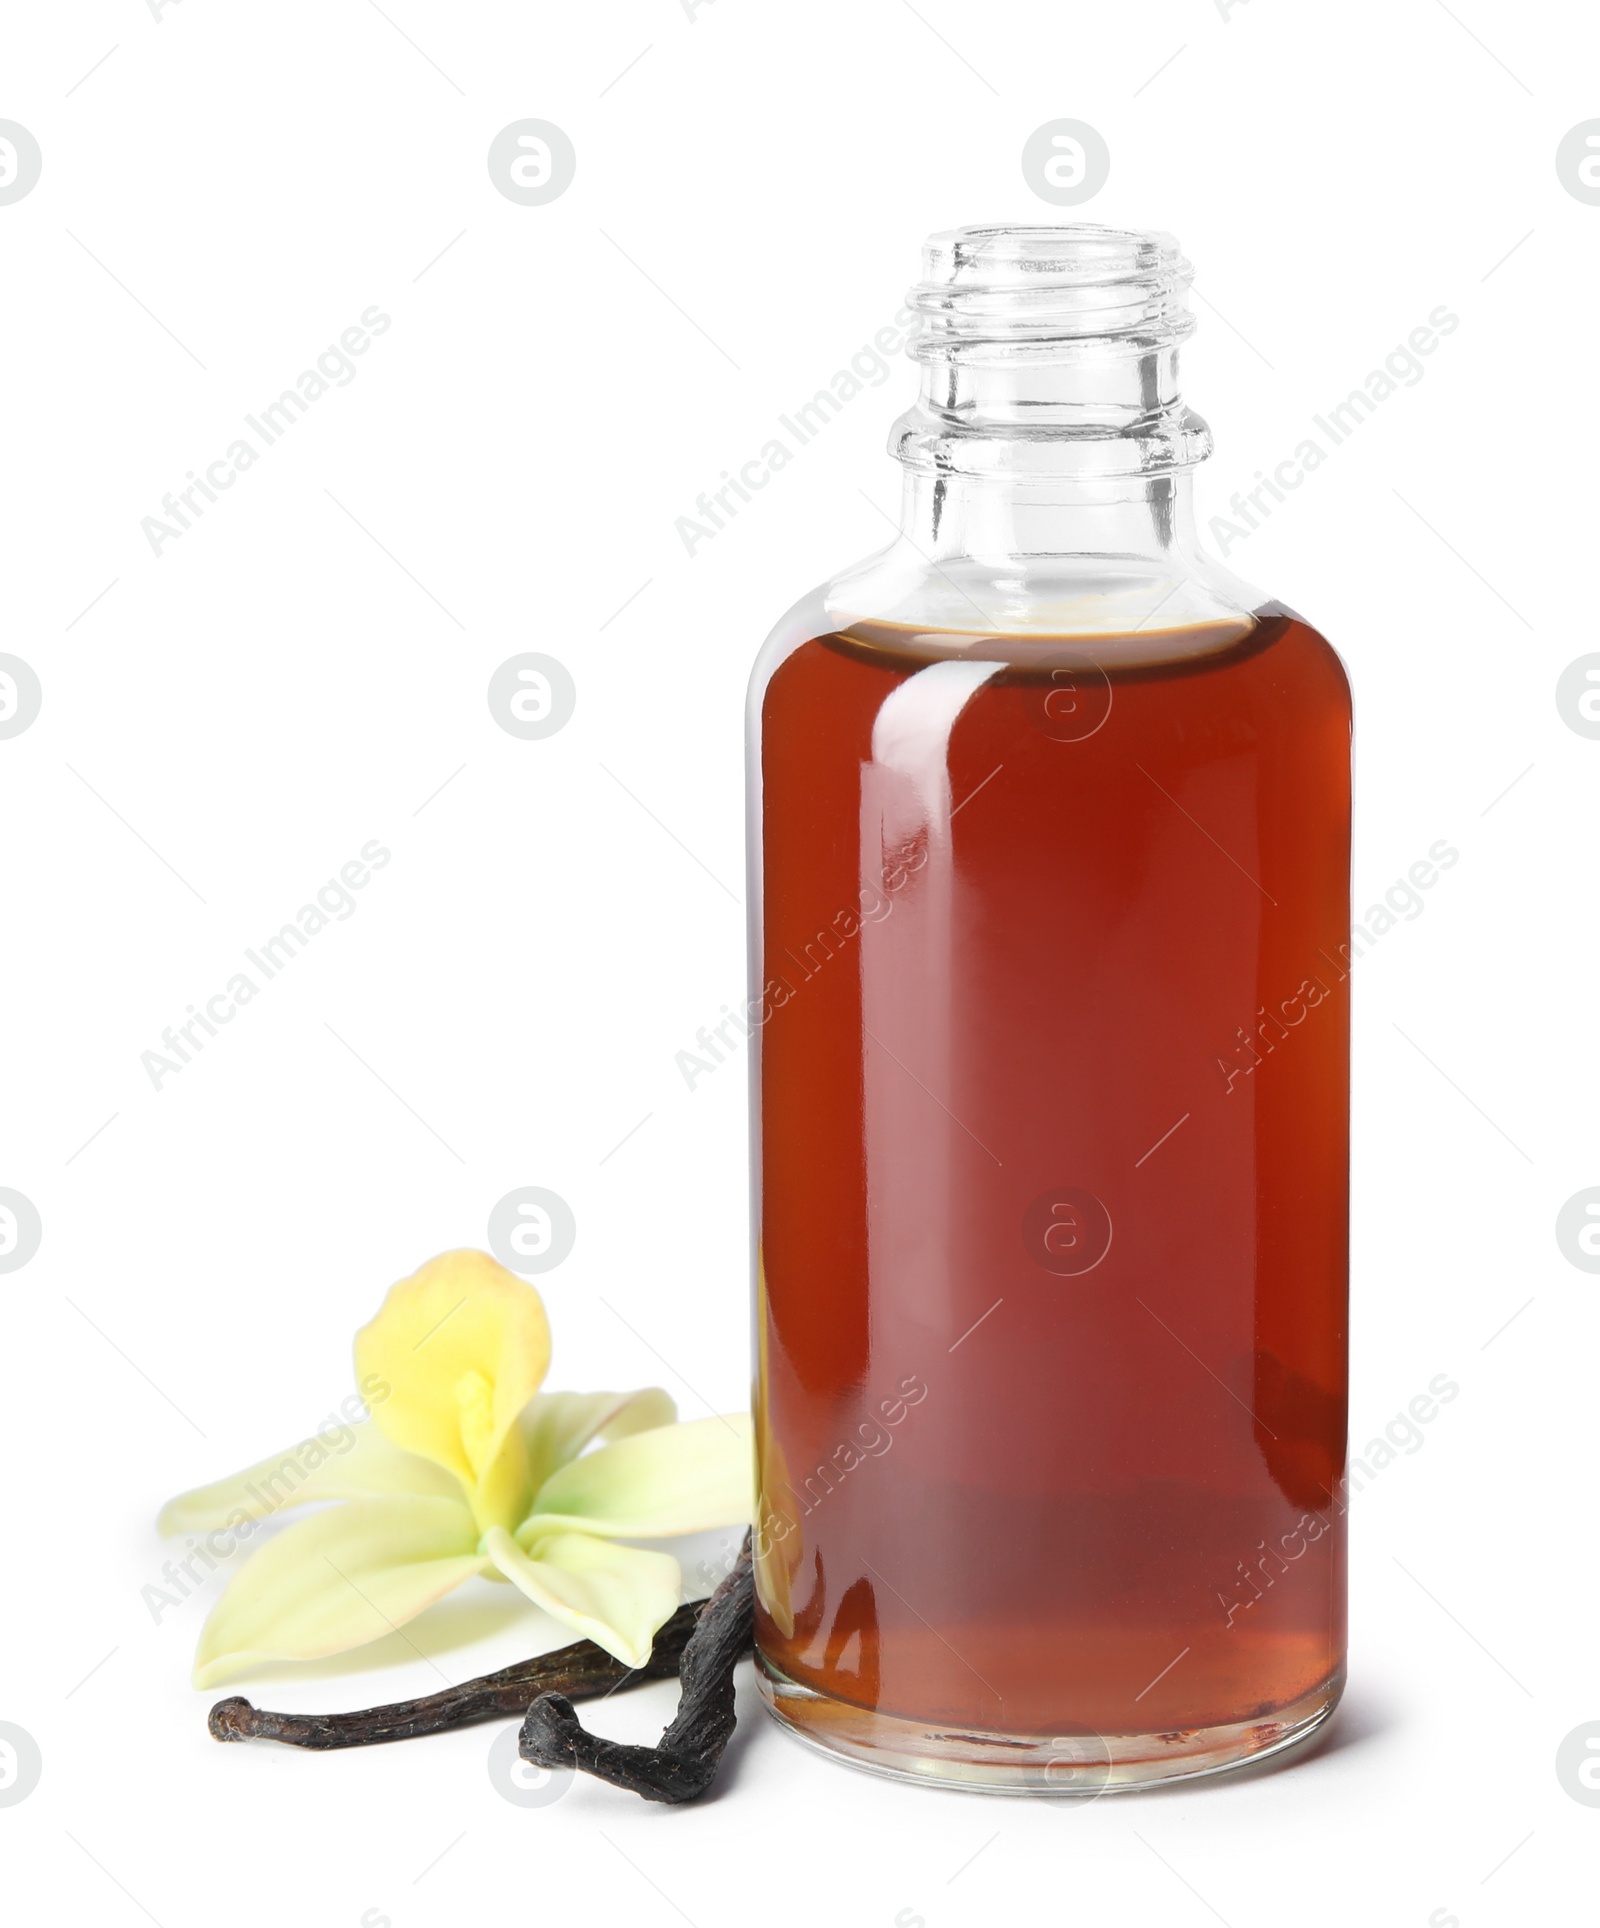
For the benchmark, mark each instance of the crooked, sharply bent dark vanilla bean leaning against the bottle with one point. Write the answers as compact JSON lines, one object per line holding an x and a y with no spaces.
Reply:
{"x":685,"y":1761}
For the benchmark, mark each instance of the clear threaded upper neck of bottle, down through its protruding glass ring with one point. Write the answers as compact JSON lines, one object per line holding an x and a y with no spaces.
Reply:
{"x":1050,"y":354}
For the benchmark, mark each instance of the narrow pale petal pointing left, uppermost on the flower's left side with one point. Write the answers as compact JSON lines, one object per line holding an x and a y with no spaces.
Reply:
{"x":338,"y":1464}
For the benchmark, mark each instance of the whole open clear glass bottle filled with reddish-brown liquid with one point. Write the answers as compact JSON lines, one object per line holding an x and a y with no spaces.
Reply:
{"x":1050,"y":1021}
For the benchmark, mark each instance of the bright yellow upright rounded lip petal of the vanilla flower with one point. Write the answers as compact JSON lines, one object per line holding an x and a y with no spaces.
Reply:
{"x":460,"y":1349}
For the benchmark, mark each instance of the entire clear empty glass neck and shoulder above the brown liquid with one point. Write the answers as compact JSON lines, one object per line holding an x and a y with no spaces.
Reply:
{"x":1050,"y":452}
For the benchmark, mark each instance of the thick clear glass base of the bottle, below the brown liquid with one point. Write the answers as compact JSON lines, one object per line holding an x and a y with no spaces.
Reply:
{"x":1079,"y":1765}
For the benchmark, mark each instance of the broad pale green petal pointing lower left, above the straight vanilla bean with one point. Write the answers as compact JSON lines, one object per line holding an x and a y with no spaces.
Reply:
{"x":338,"y":1580}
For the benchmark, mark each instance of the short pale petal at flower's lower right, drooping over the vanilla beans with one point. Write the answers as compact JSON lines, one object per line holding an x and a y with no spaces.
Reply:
{"x":614,"y":1595}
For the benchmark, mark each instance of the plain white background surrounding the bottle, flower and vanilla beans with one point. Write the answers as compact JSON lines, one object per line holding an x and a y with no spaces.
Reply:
{"x":307,"y":668}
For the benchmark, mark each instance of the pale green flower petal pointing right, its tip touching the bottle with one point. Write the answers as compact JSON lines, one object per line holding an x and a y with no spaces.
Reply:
{"x":653,"y":1486}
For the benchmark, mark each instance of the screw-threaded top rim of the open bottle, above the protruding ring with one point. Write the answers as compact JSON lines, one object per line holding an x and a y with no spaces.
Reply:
{"x":1021,"y":292}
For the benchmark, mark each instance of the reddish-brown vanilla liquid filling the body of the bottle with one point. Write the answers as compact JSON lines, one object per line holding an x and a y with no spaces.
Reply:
{"x":1053,"y":1202}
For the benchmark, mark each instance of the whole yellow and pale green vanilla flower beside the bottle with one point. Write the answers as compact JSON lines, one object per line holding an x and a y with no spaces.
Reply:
{"x":467,"y":1468}
